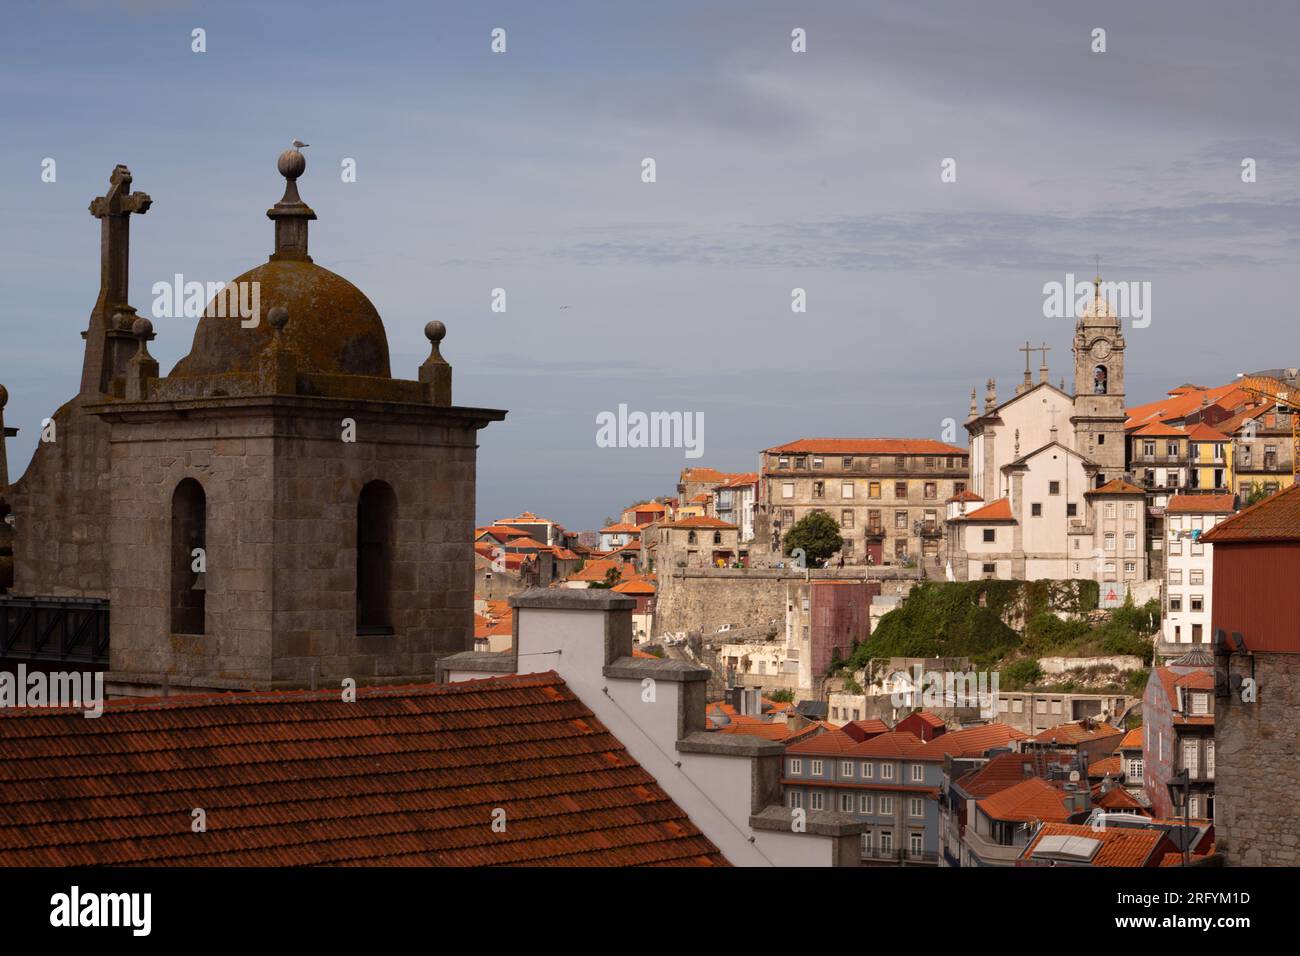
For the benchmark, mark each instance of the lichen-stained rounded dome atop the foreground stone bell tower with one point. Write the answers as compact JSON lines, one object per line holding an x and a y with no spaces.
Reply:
{"x":332,"y":326}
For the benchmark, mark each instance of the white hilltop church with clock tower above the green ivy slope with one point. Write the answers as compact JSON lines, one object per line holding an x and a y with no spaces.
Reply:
{"x":1048,"y":496}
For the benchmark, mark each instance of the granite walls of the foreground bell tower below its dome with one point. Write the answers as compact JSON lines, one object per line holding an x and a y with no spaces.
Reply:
{"x":283,"y":492}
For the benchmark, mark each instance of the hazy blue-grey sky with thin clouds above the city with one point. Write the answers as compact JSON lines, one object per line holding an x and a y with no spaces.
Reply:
{"x":820,"y":171}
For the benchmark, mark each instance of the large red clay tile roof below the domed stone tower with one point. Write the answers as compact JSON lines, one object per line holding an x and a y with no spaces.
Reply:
{"x":406,"y":776}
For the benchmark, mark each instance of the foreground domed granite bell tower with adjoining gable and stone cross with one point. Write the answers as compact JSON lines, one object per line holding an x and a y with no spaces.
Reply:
{"x":278,"y":509}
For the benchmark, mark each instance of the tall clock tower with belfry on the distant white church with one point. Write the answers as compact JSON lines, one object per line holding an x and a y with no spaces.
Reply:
{"x":1099,"y":388}
